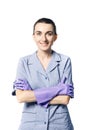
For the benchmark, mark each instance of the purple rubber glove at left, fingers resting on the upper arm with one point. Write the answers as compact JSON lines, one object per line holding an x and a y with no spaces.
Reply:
{"x":20,"y":84}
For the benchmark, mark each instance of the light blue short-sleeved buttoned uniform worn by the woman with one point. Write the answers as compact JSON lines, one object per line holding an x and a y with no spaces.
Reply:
{"x":36,"y":117}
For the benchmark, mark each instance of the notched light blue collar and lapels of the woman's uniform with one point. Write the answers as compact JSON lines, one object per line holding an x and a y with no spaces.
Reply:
{"x":34,"y":61}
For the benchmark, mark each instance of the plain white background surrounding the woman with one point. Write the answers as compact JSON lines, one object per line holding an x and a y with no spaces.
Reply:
{"x":16,"y":26}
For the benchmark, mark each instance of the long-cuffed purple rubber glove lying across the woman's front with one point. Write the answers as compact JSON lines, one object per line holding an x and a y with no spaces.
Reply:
{"x":44,"y":95}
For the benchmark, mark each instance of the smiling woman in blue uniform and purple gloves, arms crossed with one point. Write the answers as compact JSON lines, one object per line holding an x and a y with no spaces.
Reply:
{"x":44,"y":83}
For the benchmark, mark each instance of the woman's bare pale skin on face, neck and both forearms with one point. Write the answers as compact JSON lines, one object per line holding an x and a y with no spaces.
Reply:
{"x":44,"y":37}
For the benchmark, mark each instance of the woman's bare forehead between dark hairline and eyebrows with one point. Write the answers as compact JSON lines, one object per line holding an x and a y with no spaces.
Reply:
{"x":43,"y":27}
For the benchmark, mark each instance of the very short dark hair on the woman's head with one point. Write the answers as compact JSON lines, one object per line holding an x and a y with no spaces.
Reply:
{"x":46,"y":20}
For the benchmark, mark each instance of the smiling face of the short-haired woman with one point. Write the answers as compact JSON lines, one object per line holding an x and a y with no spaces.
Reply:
{"x":44,"y":36}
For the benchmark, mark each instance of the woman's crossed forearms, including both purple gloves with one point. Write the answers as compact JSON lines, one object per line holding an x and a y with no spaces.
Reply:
{"x":24,"y":93}
